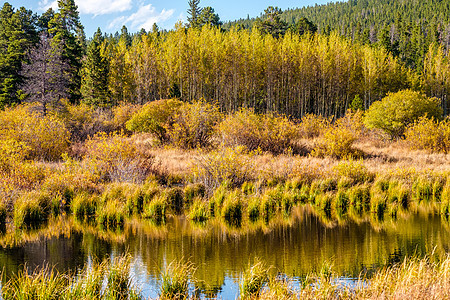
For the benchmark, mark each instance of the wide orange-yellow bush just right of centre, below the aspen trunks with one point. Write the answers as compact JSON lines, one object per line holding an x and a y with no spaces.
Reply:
{"x":275,"y":134}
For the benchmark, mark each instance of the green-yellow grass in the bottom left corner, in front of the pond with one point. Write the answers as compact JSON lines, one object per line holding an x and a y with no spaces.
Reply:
{"x":107,"y":280}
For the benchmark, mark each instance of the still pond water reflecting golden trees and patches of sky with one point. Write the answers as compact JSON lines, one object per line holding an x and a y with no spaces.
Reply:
{"x":292,"y":247}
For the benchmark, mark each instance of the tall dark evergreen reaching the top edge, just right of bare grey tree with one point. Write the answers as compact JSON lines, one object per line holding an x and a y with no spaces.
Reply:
{"x":68,"y":37}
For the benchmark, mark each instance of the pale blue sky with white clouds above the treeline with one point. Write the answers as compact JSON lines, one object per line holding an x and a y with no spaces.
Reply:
{"x":110,"y":15}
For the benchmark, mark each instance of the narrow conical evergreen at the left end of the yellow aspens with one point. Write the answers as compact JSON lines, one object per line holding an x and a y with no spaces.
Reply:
{"x":94,"y":86}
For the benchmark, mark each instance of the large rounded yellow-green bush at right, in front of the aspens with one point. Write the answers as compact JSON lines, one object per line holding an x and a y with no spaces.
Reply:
{"x":397,"y":110}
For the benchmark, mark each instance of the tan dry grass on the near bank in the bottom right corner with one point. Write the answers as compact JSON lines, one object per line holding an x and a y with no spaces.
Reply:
{"x":412,"y":279}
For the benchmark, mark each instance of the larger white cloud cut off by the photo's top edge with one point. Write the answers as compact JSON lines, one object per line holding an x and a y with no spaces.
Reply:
{"x":103,"y":7}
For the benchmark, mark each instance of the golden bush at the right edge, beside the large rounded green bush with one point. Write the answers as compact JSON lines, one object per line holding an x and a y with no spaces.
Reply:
{"x":430,"y":135}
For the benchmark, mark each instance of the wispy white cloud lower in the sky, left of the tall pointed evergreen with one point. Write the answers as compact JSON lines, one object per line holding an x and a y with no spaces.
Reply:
{"x":145,"y":17}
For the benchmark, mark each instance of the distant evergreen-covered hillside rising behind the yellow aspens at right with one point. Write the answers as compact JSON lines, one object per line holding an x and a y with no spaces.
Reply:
{"x":406,"y":28}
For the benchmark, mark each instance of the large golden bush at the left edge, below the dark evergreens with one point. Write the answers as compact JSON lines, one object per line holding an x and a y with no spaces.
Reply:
{"x":45,"y":135}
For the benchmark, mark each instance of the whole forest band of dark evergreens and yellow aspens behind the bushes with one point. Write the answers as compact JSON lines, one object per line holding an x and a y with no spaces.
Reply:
{"x":271,"y":67}
